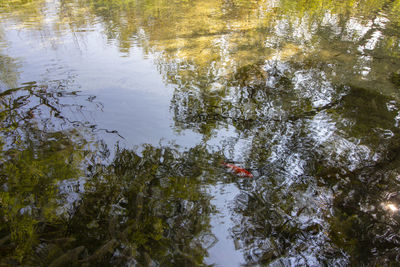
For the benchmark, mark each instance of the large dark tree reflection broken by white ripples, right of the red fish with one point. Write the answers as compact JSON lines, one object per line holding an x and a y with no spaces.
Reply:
{"x":322,"y":182}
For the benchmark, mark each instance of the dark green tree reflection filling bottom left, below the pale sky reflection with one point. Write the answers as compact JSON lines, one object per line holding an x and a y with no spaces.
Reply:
{"x":139,"y":209}
